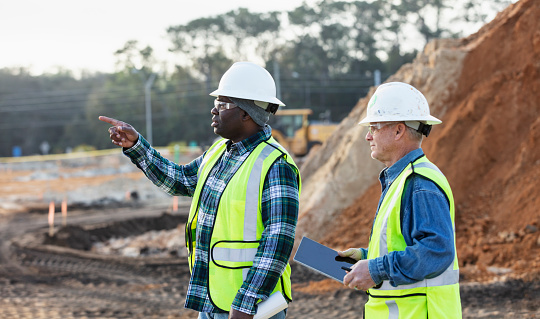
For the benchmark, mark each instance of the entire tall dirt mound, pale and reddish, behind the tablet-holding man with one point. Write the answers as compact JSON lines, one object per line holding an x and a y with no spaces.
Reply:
{"x":486,"y":89}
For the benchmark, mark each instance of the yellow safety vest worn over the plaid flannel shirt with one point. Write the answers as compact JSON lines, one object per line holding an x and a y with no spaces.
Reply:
{"x":238,"y":223}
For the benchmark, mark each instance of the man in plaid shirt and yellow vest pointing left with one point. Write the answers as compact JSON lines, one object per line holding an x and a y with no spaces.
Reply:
{"x":245,"y":188}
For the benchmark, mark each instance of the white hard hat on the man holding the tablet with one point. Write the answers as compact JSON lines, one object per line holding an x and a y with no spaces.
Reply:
{"x":396,"y":102}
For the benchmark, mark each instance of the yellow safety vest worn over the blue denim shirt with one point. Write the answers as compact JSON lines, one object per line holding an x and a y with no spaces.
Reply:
{"x":430,"y":298}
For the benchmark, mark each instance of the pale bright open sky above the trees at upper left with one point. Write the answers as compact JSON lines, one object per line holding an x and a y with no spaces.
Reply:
{"x":43,"y":35}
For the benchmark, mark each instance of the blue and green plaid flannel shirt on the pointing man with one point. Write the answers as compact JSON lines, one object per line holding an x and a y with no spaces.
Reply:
{"x":280,"y":201}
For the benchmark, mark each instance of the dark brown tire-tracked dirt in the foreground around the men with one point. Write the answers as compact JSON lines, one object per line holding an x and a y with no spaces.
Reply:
{"x":42,"y":280}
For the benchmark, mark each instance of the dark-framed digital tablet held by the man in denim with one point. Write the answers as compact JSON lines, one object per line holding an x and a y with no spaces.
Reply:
{"x":322,"y":259}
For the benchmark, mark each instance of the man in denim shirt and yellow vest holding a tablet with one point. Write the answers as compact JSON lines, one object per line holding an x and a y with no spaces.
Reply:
{"x":410,"y":268}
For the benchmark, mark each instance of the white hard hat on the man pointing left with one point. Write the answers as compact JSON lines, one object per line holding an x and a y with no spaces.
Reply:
{"x":246,"y":80}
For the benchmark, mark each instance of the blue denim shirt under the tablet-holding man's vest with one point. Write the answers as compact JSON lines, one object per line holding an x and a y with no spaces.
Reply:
{"x":425,"y":224}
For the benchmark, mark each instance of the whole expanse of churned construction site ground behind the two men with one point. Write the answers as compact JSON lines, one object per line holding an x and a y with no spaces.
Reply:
{"x":63,"y":277}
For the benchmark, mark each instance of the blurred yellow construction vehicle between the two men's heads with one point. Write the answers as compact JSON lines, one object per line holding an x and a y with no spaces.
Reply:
{"x":291,"y":128}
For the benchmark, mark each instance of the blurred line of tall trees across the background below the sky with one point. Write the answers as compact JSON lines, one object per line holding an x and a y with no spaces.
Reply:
{"x":323,"y":55}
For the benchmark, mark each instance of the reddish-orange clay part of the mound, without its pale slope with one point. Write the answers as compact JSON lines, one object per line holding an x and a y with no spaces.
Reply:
{"x":489,"y":148}
